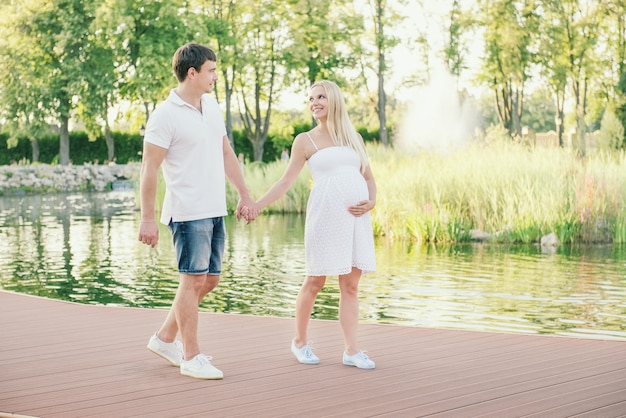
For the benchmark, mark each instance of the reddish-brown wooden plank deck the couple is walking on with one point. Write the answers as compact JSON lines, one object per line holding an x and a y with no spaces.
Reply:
{"x":60,"y":359}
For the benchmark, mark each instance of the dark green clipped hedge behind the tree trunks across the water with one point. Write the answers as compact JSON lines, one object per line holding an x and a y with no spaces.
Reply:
{"x":128,"y":147}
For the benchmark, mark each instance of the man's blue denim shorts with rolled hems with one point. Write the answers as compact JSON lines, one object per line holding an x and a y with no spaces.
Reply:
{"x":199,"y":245}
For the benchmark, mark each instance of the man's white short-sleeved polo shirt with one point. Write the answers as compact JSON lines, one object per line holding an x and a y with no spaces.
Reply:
{"x":193,"y":168}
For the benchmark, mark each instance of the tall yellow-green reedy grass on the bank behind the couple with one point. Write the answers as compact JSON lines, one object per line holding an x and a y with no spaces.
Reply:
{"x":512,"y":192}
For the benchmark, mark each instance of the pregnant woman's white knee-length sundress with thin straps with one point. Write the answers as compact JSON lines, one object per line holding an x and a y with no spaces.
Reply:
{"x":335,"y":240}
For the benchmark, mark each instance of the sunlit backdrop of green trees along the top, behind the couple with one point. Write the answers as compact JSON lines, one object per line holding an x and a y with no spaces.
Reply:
{"x":68,"y":62}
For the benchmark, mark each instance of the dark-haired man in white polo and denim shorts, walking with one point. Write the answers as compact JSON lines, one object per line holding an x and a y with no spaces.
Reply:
{"x":186,"y":136}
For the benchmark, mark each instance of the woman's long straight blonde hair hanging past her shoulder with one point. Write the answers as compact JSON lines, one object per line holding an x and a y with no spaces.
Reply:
{"x":340,"y":127}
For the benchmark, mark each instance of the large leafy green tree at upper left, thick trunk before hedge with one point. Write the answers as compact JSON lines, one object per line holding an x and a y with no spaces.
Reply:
{"x":55,"y":34}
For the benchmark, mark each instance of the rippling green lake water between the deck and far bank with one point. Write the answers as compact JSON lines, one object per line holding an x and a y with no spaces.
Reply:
{"x":84,"y":248}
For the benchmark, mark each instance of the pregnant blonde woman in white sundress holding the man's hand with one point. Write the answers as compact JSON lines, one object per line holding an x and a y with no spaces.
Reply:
{"x":338,"y":231}
